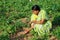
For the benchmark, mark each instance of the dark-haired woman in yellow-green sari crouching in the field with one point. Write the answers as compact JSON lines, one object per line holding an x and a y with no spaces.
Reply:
{"x":40,"y":21}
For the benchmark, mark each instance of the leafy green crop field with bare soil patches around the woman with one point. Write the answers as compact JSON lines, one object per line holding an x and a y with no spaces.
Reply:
{"x":15,"y":15}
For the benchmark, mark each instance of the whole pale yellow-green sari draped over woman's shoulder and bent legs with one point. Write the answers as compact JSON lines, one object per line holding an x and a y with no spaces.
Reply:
{"x":42,"y":29}
